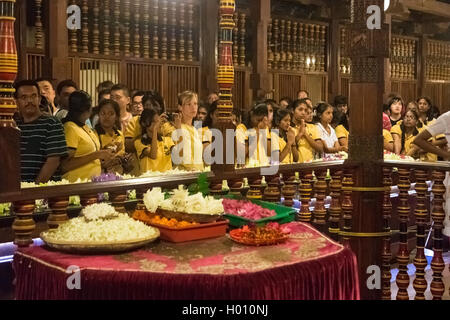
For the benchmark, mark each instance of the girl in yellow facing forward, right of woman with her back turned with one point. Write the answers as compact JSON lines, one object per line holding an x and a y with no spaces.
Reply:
{"x":110,"y":136}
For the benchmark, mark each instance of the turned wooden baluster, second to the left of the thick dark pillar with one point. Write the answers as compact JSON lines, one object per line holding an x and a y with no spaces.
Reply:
{"x":335,"y":207}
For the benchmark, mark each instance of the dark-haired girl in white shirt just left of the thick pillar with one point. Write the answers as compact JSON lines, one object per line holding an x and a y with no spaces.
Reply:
{"x":323,"y":119}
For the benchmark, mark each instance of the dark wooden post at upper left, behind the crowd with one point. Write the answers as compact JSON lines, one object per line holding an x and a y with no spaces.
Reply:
{"x":57,"y":48}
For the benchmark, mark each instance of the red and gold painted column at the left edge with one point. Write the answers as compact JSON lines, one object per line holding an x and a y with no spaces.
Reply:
{"x":8,"y":62}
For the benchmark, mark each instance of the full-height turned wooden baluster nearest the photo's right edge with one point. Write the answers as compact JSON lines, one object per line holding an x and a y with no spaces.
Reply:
{"x":438,"y":215}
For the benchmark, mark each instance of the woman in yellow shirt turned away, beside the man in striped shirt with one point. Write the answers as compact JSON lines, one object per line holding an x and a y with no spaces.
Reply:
{"x":85,"y":154}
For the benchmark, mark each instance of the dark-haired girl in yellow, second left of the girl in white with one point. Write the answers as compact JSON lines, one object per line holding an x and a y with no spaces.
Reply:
{"x":288,"y":152}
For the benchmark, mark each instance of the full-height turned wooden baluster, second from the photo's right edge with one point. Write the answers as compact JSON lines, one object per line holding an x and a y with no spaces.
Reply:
{"x":421,"y":213}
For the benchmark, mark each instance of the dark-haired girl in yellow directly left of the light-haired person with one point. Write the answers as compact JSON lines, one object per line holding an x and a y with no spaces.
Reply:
{"x":153,"y":150}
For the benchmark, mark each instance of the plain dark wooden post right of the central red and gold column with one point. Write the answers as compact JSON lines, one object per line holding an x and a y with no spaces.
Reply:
{"x":260,"y":15}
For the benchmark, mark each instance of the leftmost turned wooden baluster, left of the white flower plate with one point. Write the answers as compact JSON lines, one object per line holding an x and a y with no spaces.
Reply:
{"x":24,"y":224}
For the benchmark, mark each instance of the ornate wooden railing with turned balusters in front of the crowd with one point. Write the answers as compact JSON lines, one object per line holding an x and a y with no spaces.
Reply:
{"x":331,"y":211}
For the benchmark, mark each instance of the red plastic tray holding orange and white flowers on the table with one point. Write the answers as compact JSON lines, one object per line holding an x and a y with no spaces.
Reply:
{"x":197,"y":232}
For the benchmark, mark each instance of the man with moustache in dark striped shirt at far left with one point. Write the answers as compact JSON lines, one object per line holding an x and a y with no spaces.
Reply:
{"x":43,"y":143}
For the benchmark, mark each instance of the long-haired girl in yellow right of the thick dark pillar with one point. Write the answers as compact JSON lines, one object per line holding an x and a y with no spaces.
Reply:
{"x":405,"y":133}
